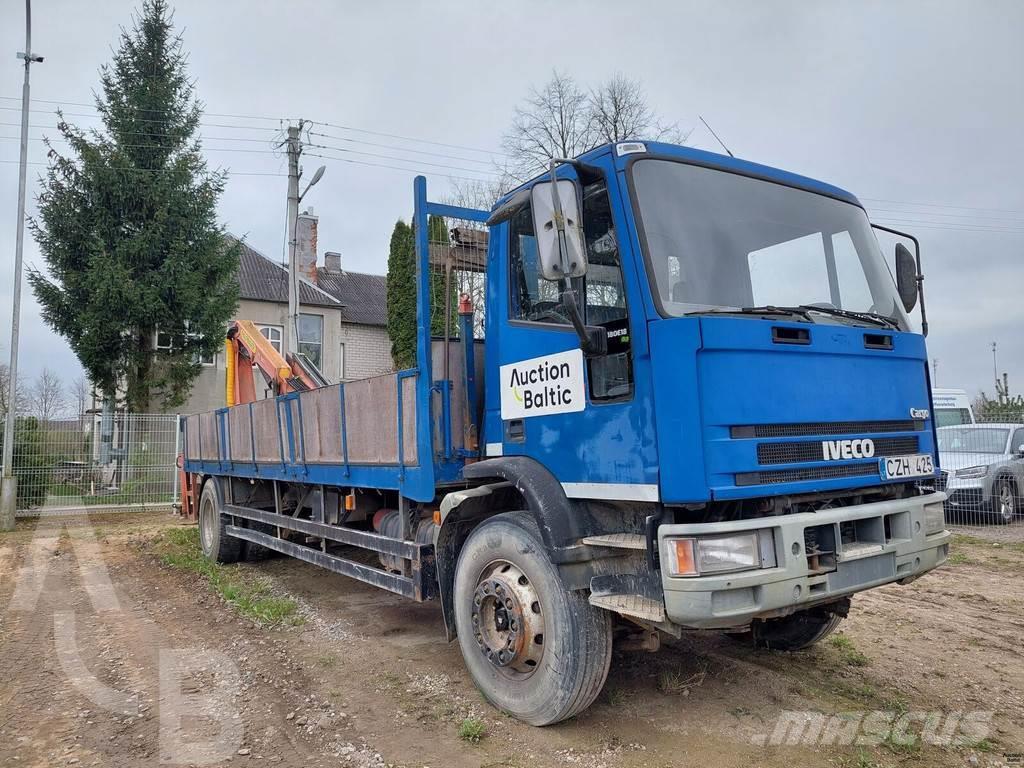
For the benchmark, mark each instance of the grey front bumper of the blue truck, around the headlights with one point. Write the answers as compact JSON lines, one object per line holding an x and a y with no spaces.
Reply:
{"x":893,"y":547}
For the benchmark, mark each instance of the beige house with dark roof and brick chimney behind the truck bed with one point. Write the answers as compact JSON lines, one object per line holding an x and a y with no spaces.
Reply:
{"x":343,"y":324}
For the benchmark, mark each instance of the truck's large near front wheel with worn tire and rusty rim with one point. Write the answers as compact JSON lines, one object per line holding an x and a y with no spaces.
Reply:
{"x":546,"y":658}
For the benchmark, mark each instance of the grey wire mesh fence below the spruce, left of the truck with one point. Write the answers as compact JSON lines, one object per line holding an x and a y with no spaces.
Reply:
{"x":94,"y":463}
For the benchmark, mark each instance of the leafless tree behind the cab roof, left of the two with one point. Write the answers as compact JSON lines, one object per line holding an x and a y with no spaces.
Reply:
{"x":553,"y":122}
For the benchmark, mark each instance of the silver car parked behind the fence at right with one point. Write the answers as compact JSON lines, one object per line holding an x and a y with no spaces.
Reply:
{"x":983,"y":470}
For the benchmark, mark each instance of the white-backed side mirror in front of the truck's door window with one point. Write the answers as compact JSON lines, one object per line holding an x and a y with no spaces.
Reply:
{"x":570,"y":259}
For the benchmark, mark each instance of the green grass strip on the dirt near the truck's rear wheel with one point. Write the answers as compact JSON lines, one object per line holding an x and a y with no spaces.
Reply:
{"x":247,"y":593}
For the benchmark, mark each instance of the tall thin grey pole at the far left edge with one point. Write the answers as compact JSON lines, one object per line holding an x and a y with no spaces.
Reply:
{"x":9,"y":484}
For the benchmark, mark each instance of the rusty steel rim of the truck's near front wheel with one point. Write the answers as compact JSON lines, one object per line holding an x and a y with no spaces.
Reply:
{"x":508,"y":620}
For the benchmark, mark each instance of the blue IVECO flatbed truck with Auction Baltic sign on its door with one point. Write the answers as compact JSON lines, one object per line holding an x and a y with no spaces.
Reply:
{"x":657,"y":391}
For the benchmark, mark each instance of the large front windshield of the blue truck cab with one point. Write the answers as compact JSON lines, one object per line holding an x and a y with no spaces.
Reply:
{"x":718,"y":240}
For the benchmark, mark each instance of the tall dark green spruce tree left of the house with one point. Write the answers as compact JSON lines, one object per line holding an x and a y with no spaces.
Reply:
{"x":127,"y":228}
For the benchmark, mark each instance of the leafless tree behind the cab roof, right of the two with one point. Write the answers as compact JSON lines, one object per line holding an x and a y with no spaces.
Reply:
{"x":620,"y":112}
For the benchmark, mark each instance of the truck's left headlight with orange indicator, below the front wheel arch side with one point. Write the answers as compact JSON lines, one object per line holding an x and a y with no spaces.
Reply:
{"x":720,"y":554}
